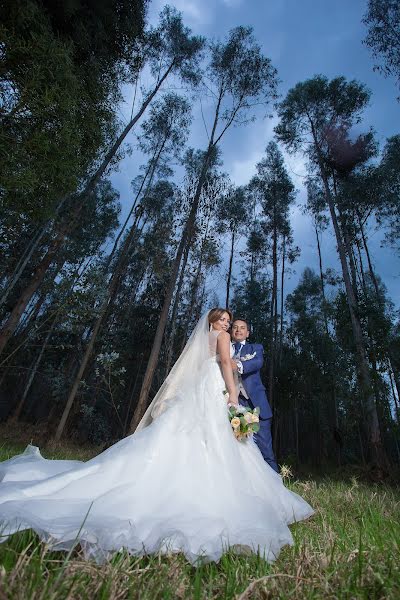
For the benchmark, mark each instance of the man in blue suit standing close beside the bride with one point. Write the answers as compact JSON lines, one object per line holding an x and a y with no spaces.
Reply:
{"x":247,"y":361}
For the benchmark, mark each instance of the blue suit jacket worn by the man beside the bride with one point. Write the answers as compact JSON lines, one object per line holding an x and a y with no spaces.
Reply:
{"x":251,"y":379}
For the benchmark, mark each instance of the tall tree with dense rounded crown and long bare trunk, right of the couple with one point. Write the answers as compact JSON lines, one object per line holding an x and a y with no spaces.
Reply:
{"x":308,"y":114}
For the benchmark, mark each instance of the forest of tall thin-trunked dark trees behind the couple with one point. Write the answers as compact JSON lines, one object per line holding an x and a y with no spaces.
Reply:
{"x":99,"y":293}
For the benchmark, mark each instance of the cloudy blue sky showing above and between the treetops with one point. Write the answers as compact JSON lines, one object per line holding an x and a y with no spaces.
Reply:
{"x":302,"y":38}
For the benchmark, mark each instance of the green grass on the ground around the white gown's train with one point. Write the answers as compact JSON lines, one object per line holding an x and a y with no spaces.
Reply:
{"x":348,"y":549}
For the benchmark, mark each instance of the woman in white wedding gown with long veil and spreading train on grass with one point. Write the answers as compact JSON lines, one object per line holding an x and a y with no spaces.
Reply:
{"x":180,"y":483}
